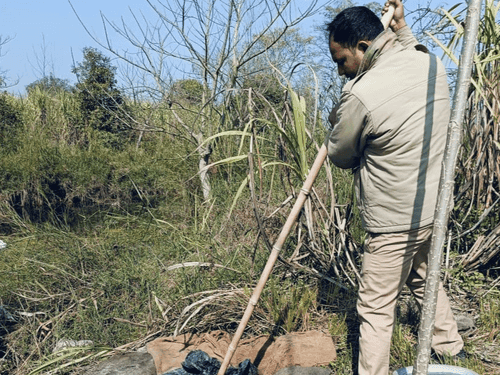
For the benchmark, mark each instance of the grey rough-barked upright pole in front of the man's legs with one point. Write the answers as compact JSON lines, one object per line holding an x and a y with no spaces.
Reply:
{"x":445,"y":189}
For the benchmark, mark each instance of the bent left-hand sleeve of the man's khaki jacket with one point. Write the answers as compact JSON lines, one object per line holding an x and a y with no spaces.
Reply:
{"x":346,"y":140}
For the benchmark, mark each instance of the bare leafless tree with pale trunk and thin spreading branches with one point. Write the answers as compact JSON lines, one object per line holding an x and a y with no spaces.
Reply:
{"x":210,"y":40}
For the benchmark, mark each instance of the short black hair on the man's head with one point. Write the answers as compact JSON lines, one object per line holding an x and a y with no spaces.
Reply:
{"x":354,"y":24}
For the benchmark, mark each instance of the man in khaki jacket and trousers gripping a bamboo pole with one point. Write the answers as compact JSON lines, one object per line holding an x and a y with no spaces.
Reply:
{"x":390,"y":127}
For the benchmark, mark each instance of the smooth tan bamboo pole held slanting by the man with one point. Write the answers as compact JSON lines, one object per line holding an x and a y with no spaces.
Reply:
{"x":297,"y":207}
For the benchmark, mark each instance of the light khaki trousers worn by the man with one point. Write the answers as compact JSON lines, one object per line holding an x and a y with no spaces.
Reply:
{"x":391,"y":260}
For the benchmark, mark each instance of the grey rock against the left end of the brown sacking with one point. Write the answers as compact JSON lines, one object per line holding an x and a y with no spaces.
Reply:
{"x":125,"y":364}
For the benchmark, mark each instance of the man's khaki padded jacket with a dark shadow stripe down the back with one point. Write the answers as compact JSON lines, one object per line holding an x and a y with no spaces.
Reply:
{"x":391,"y":127}
